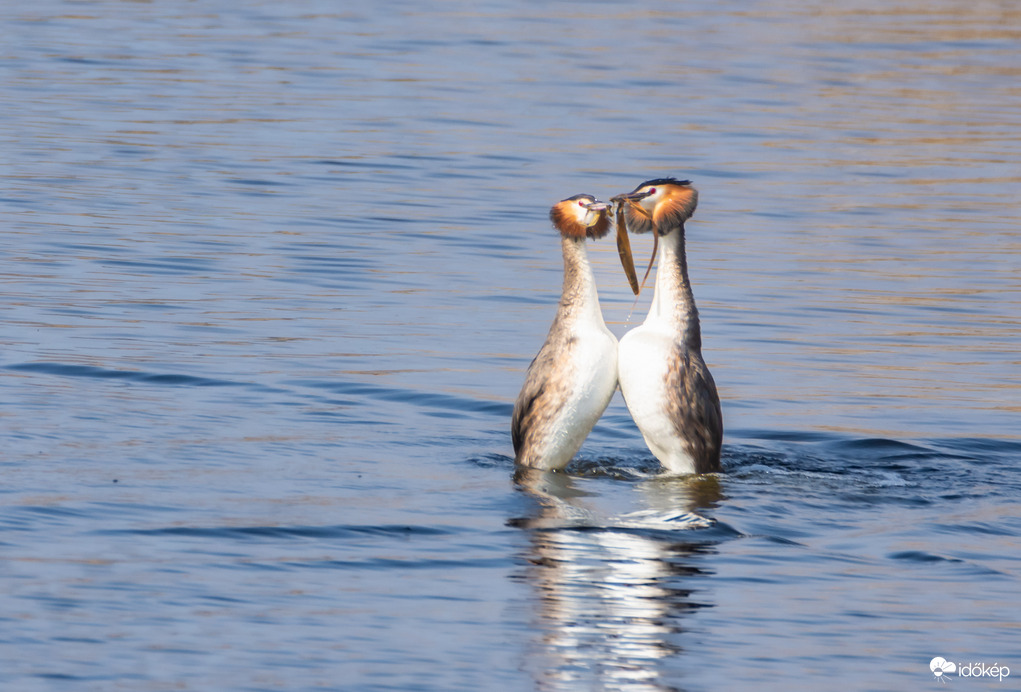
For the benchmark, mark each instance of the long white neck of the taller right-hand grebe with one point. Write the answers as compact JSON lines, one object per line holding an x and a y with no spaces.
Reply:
{"x":673,"y":304}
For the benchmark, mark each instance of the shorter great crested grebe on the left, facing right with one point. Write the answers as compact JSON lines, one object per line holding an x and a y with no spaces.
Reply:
{"x":572,"y":379}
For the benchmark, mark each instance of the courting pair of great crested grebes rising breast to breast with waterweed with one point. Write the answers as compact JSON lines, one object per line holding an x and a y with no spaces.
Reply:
{"x":659,"y":367}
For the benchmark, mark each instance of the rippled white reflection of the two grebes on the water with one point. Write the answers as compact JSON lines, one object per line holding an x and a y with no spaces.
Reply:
{"x":612,"y":590}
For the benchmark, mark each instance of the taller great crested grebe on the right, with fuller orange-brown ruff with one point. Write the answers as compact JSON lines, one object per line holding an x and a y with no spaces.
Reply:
{"x":665,"y":382}
